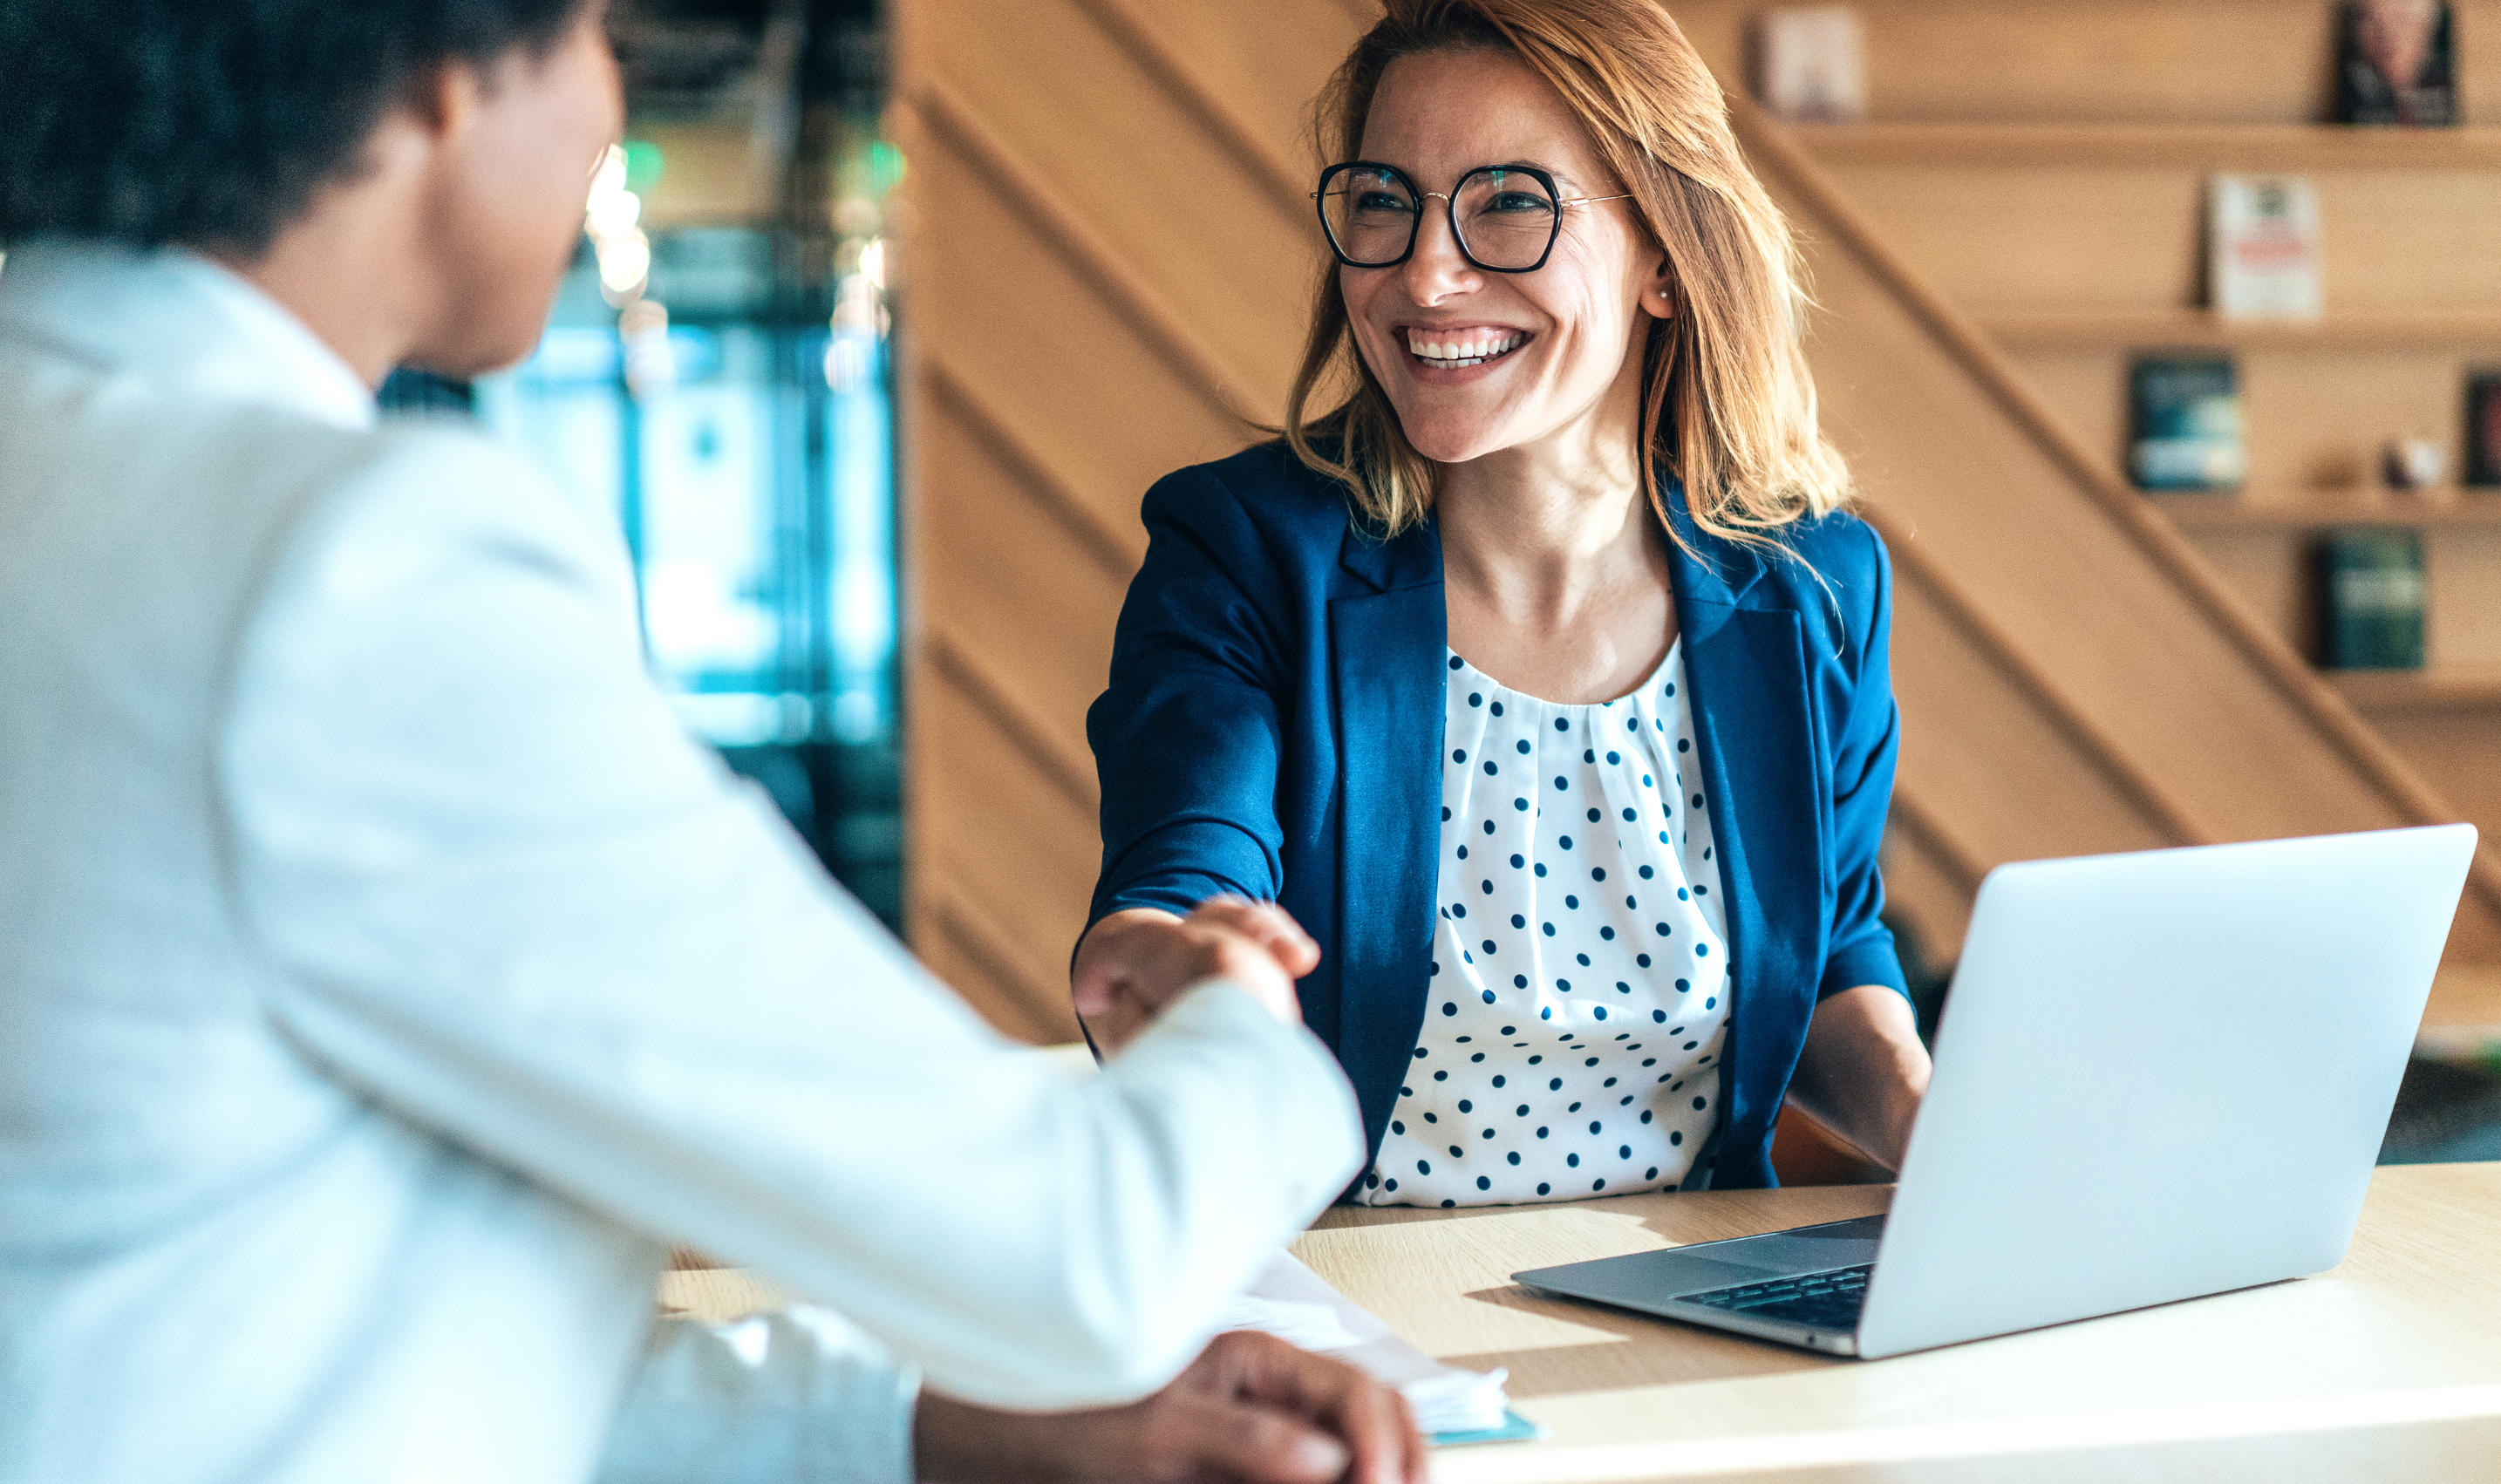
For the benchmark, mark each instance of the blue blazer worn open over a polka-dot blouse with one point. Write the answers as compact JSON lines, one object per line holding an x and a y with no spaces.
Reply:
{"x":1274,"y":729}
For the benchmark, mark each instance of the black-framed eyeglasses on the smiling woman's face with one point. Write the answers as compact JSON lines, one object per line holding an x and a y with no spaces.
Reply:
{"x":1504,"y":219}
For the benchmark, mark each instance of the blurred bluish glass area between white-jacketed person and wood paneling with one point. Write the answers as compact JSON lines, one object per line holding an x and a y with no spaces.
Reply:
{"x":719,"y":379}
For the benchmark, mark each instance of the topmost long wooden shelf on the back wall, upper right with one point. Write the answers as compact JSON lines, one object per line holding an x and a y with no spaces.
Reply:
{"x":2035,"y":146}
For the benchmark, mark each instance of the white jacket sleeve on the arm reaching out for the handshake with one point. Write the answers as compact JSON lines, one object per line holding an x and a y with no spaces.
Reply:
{"x":521,"y":907}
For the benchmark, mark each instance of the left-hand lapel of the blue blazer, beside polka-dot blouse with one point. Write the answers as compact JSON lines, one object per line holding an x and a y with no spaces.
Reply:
{"x":1387,"y":649}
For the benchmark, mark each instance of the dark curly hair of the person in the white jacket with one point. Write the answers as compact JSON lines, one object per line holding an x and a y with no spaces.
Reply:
{"x":216,"y":121}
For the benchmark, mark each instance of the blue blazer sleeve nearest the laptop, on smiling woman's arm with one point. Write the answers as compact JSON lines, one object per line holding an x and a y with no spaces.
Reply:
{"x":1864,"y":745}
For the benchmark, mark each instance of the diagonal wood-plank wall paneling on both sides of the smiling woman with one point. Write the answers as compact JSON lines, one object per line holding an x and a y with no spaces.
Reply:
{"x":1107,"y":272}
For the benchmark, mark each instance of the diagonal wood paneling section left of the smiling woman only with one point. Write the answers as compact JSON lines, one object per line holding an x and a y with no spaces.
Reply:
{"x":1102,"y":274}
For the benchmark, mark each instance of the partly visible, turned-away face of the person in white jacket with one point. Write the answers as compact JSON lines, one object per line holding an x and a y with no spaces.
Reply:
{"x":509,"y":204}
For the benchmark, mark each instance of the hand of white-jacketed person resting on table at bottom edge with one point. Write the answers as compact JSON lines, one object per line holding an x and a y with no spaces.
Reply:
{"x":1249,"y":1408}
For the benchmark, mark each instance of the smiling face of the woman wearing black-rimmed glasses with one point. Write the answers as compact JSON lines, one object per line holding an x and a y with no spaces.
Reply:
{"x":1484,"y":362}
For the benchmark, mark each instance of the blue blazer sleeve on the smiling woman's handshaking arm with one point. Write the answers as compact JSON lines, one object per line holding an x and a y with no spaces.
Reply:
{"x":1189,"y":732}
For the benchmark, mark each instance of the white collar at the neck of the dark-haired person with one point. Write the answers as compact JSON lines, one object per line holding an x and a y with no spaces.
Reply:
{"x":176,"y":319}
